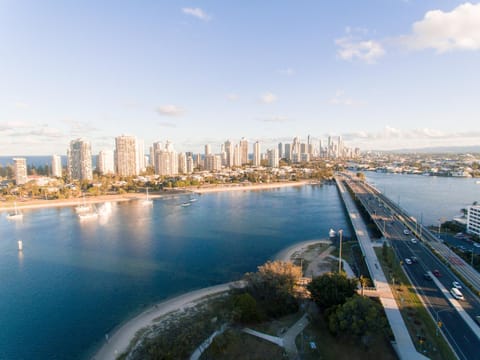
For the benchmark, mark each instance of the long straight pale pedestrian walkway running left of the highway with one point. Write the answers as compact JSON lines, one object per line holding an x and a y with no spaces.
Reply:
{"x":404,"y":345}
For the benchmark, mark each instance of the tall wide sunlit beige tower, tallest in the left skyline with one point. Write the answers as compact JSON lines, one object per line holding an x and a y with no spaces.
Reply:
{"x":126,"y":155}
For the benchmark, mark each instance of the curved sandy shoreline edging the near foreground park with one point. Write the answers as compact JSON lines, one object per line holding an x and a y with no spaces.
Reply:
{"x":122,"y":335}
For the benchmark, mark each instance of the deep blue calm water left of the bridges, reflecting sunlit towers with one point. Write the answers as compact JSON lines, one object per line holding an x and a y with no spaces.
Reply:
{"x":76,"y":281}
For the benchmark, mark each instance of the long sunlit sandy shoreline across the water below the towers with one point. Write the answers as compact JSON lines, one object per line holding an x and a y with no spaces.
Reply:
{"x":40,"y":204}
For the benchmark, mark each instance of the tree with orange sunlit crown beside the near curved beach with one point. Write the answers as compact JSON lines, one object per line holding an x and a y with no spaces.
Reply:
{"x":272,"y":286}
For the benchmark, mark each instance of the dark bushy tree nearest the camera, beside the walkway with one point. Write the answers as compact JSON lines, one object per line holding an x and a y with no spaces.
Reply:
{"x":358,"y":316}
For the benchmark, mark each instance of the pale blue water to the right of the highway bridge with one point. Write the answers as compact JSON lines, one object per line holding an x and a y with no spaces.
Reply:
{"x":428,"y":197}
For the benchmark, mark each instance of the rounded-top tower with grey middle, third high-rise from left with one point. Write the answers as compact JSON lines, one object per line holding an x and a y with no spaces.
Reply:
{"x":79,"y":160}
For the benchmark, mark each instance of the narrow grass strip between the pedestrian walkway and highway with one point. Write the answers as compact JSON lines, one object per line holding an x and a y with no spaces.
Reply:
{"x":419,"y":323}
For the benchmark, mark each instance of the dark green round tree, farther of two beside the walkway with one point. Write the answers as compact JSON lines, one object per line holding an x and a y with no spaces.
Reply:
{"x":331,"y":289}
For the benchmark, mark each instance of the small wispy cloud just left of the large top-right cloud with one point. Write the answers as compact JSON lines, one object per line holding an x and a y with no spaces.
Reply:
{"x":351,"y":48}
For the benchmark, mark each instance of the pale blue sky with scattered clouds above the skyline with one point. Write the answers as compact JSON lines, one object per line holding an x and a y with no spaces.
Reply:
{"x":383,"y":74}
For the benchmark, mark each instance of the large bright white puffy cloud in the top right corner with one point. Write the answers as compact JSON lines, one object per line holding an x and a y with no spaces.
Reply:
{"x":447,"y":31}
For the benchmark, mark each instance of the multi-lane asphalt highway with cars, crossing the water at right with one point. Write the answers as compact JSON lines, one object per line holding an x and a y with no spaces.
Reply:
{"x":461,"y":331}
